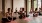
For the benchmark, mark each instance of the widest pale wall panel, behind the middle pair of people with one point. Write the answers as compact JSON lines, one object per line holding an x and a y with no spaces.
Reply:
{"x":18,"y":4}
